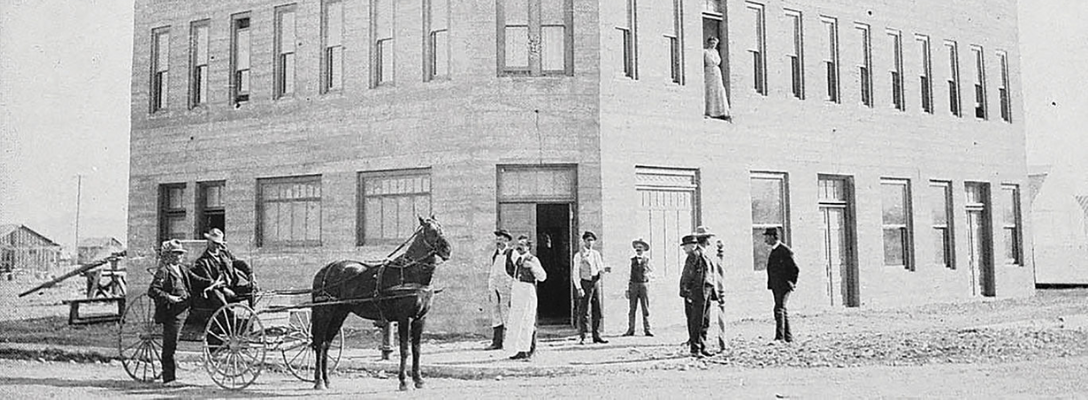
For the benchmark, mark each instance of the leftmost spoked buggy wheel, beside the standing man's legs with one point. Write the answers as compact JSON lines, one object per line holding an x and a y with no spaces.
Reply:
{"x":140,"y":341}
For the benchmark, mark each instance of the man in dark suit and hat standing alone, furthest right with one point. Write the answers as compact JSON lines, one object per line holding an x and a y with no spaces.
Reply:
{"x":782,"y":280}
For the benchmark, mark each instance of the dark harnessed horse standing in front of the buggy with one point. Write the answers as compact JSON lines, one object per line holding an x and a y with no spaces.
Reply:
{"x":397,"y":291}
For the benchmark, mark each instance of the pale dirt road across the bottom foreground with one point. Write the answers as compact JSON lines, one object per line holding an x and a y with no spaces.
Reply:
{"x":1050,"y":379}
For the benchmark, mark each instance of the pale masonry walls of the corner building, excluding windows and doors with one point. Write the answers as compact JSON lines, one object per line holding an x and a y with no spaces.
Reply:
{"x":612,"y":130}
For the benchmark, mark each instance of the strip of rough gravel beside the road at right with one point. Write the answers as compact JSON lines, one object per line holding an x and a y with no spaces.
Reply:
{"x":909,"y":348}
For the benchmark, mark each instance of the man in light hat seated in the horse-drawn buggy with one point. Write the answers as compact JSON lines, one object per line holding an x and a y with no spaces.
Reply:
{"x":217,"y":277}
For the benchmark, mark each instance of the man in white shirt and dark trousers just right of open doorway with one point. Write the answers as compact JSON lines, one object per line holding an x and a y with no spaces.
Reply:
{"x":586,"y":276}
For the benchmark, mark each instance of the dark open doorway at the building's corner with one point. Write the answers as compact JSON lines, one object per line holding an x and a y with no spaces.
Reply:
{"x":553,"y":248}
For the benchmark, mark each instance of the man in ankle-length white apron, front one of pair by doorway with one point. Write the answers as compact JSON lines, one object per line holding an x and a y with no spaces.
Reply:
{"x":527,"y":272}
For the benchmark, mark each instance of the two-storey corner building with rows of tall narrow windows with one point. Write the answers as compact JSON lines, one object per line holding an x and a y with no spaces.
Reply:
{"x":885,"y":142}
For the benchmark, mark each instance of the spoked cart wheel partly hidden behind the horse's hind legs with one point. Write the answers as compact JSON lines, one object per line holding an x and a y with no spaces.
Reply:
{"x":298,"y":353}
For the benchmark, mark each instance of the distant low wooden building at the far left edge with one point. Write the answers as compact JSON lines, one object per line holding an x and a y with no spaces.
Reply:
{"x":23,"y":249}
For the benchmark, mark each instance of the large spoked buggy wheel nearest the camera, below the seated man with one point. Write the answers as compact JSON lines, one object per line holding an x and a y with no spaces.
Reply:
{"x":234,"y":347}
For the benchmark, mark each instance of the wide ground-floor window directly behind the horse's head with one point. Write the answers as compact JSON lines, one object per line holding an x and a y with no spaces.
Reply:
{"x":390,"y":204}
